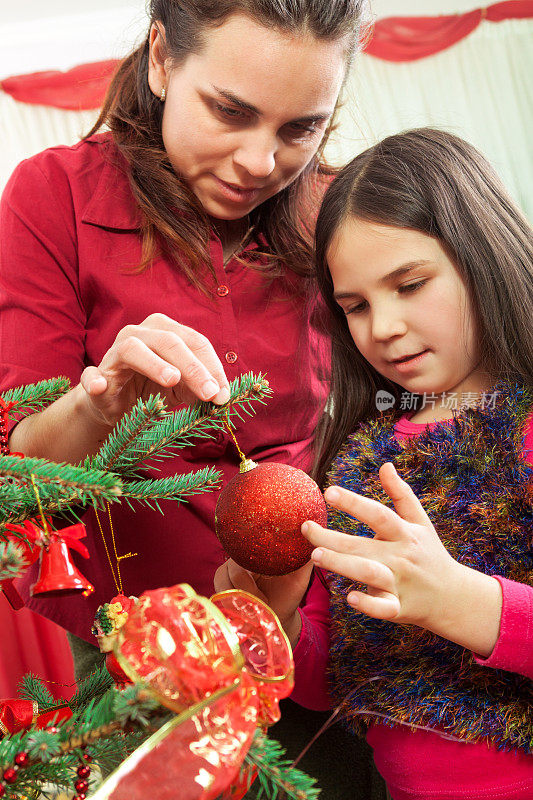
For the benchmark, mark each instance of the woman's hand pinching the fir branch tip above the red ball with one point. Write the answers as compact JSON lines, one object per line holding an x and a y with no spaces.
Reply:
{"x":158,"y":356}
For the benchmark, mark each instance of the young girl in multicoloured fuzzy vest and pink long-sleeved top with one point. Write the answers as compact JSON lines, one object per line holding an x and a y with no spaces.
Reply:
{"x":426,"y":266}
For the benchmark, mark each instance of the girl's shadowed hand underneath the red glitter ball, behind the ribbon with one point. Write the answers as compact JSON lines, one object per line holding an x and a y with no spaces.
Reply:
{"x":283,"y":593}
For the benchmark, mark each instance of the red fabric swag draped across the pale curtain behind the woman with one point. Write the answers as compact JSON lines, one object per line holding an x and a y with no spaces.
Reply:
{"x":394,"y":39}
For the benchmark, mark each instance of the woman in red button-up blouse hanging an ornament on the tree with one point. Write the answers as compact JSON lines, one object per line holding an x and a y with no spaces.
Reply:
{"x":170,"y":254}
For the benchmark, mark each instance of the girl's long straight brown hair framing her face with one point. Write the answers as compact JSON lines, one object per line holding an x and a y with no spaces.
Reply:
{"x":434,"y":182}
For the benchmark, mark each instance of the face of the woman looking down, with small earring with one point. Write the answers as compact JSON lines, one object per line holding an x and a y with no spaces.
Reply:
{"x":245,"y":115}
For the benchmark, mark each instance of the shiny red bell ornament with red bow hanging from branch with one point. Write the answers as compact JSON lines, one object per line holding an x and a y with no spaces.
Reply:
{"x":57,"y":573}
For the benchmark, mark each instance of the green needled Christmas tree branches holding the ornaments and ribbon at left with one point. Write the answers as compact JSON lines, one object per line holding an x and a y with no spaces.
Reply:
{"x":108,"y":724}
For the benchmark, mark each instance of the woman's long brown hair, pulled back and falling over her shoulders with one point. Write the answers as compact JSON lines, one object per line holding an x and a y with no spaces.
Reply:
{"x":134,"y":116}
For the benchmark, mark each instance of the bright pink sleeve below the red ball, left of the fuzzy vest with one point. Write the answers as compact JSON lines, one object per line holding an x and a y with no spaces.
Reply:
{"x":311,"y":652}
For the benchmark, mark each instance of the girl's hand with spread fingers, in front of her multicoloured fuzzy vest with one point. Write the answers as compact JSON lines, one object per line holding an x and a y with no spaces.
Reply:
{"x":411,"y":577}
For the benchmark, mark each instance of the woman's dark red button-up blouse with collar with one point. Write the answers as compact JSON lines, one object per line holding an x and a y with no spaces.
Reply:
{"x":69,"y":244}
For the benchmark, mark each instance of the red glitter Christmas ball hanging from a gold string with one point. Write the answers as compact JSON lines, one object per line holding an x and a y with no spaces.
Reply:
{"x":259,"y":515}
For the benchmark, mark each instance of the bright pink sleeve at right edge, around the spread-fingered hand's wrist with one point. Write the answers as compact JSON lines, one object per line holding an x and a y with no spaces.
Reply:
{"x":514,"y":649}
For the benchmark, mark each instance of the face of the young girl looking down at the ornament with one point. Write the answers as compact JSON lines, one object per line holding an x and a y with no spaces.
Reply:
{"x":406,"y":306}
